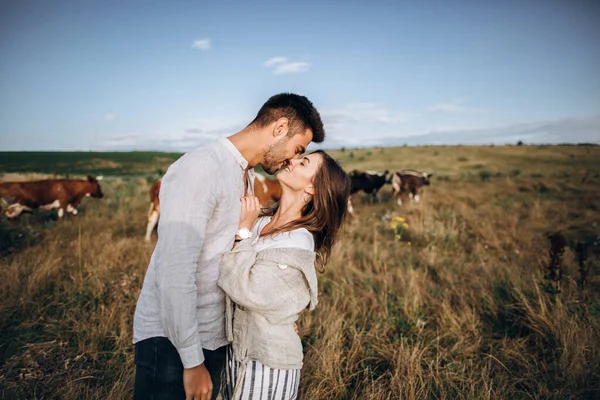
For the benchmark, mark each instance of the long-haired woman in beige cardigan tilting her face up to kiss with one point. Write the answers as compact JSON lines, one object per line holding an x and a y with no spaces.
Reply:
{"x":270,"y":277}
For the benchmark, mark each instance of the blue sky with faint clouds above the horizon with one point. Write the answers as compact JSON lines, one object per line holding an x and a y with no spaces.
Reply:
{"x":170,"y":75}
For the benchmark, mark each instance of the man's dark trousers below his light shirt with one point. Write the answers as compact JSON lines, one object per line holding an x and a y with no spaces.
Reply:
{"x":159,"y":371}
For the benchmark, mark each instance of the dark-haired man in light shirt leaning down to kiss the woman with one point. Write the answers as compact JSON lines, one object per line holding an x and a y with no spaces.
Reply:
{"x":178,"y":328}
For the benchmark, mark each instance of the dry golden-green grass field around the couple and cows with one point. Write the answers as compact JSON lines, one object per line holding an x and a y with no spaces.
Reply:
{"x":457,"y":307}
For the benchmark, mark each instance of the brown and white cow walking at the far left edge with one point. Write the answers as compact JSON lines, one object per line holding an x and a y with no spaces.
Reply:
{"x":64,"y":194}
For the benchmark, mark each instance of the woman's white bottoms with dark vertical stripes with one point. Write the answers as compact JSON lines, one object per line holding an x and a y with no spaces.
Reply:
{"x":260,"y":382}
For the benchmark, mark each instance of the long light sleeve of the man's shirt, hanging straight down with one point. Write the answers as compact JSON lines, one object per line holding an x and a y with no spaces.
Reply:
{"x":187,"y":202}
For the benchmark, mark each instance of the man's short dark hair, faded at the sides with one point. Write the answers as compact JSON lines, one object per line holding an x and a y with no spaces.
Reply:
{"x":297,"y":109}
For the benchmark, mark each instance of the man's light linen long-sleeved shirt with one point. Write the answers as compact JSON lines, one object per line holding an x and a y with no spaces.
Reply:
{"x":200,"y":208}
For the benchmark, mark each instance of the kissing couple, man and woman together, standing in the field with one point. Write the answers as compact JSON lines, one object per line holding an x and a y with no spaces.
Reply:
{"x":227,"y":280}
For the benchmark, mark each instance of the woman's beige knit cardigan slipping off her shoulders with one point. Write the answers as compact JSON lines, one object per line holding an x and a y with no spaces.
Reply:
{"x":269,"y":288}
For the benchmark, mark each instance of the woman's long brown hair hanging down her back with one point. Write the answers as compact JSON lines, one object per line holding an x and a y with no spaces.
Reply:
{"x":325,"y":211}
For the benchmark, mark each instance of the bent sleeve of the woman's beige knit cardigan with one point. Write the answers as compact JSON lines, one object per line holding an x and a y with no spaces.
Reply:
{"x":254,"y":285}
